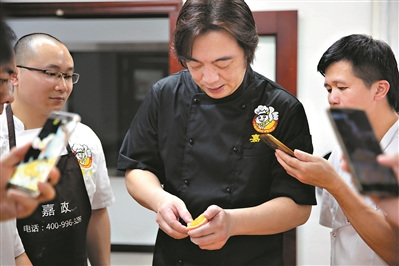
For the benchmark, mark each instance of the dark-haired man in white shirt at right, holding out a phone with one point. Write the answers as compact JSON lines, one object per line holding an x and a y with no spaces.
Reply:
{"x":361,"y":73}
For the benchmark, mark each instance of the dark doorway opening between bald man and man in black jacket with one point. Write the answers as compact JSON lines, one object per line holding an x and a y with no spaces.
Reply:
{"x":110,"y":91}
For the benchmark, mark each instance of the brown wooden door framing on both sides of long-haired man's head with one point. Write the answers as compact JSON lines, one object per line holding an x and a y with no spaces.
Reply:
{"x":281,"y":24}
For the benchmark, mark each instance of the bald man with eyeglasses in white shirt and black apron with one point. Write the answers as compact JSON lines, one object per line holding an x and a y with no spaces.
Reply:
{"x":75,"y":225}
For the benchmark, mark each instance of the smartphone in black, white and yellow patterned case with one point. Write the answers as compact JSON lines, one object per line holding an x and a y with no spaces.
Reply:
{"x":44,"y":152}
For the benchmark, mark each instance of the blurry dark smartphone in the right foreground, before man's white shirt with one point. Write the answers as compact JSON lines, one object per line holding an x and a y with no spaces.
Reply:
{"x":361,"y":147}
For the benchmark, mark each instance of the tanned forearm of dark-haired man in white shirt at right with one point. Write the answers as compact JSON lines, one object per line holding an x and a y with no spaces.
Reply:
{"x":370,"y":224}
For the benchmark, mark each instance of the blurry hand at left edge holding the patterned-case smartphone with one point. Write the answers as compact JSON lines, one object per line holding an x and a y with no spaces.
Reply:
{"x":17,"y":204}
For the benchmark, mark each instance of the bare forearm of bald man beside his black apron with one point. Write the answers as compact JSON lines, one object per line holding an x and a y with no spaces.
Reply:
{"x":99,"y":238}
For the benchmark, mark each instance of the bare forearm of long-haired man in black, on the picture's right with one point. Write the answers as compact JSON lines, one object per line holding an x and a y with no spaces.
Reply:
{"x":272,"y":217}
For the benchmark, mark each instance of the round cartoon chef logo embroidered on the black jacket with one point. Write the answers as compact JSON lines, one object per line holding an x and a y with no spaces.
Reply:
{"x":265,"y":120}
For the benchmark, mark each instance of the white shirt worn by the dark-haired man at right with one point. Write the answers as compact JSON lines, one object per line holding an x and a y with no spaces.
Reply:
{"x":347,"y":247}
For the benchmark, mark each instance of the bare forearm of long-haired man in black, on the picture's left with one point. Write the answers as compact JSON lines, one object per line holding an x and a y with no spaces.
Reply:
{"x":145,"y":188}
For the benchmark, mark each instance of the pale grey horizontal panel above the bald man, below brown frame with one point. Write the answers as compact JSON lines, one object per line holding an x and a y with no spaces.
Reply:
{"x":88,"y":32}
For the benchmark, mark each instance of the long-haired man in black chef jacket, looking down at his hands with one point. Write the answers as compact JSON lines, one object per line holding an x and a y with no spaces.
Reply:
{"x":194,"y":147}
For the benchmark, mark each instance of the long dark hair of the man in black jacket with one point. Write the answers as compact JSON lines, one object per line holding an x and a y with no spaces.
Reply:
{"x":200,"y":16}
